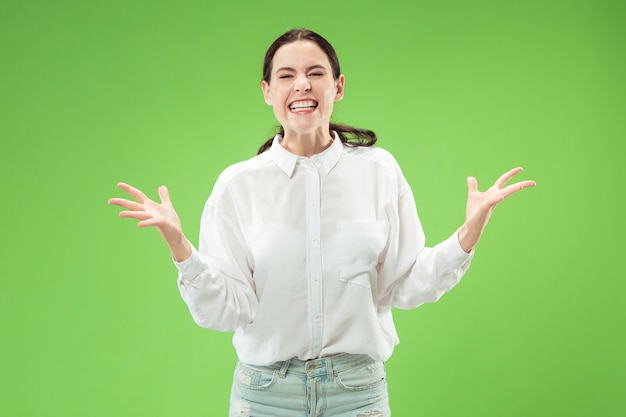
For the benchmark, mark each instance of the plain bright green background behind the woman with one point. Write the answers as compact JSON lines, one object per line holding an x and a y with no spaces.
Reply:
{"x":157,"y":92}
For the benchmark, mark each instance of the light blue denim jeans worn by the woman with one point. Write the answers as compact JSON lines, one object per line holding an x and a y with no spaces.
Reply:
{"x":338,"y":386}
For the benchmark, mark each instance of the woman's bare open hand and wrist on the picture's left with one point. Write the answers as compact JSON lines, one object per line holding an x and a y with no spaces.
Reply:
{"x":160,"y":215}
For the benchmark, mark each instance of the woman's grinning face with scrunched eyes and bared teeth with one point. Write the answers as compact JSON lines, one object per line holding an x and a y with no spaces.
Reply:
{"x":302,"y":89}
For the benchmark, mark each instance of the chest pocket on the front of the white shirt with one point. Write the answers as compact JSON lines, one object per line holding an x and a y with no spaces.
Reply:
{"x":361,"y":246}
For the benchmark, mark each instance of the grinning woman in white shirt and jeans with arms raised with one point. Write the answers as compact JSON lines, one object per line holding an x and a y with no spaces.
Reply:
{"x":304,"y":249}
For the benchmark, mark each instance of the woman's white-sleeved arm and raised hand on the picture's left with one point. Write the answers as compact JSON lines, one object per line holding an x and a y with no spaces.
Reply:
{"x":216,"y":283}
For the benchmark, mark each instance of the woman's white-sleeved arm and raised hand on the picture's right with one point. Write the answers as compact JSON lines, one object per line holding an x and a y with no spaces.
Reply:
{"x":415,"y":274}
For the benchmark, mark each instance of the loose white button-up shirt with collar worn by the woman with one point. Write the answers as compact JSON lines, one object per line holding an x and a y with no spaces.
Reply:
{"x":305,"y":257}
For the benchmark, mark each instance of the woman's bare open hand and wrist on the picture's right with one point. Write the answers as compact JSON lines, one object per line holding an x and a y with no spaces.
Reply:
{"x":480,"y":205}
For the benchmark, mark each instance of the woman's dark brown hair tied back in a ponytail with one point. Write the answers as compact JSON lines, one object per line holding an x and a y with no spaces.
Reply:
{"x":349,"y":135}
